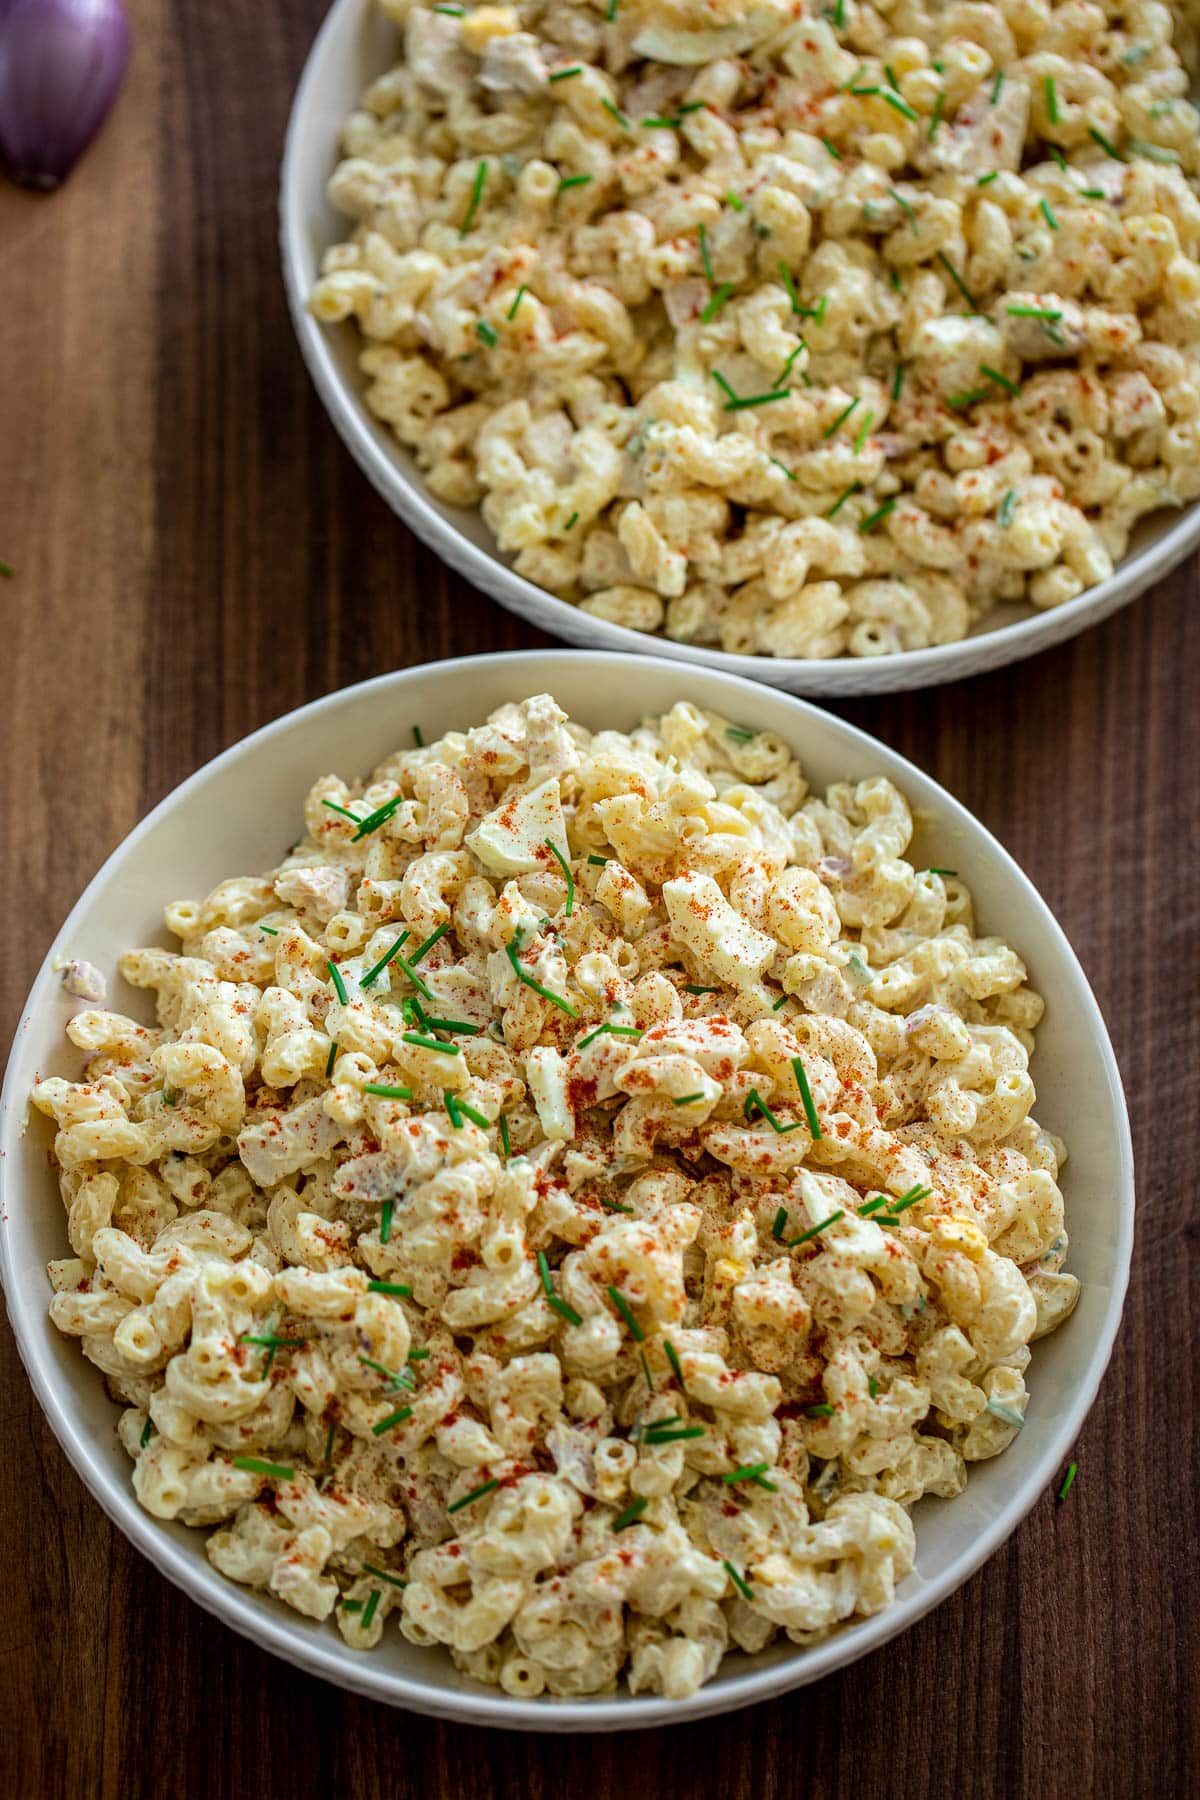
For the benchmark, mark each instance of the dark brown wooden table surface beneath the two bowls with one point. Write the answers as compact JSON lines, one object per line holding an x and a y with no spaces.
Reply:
{"x":195,"y":553}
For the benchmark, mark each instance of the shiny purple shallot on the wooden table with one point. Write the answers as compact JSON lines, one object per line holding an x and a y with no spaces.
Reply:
{"x":62,"y":64}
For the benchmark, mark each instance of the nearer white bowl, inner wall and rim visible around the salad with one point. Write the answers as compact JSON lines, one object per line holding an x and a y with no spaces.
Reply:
{"x":237,"y":816}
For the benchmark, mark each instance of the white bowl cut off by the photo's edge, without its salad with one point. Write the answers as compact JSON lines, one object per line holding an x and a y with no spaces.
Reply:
{"x":354,"y":48}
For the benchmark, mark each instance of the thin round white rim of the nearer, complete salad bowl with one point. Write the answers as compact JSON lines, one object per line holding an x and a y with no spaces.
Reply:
{"x":325,"y":1657}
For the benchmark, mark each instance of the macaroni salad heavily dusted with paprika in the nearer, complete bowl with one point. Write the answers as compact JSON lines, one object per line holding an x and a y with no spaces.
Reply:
{"x":571,"y":1209}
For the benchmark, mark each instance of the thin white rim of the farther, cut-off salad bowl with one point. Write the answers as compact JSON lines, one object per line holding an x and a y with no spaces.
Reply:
{"x":407,"y":496}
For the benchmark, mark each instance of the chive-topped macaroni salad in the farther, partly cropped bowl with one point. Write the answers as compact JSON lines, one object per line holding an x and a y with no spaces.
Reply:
{"x":801,"y":328}
